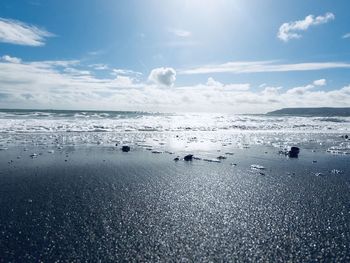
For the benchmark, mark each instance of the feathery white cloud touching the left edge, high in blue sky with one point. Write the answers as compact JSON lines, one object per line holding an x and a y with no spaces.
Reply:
{"x":19,"y":33}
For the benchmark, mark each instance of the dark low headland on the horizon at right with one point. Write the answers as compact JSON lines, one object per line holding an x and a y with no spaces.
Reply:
{"x":323,"y":111}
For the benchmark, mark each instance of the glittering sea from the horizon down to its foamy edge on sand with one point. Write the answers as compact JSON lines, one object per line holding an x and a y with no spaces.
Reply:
{"x":172,"y":132}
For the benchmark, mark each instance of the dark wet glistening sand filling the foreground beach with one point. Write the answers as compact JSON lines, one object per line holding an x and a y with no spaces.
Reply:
{"x":102,"y":204}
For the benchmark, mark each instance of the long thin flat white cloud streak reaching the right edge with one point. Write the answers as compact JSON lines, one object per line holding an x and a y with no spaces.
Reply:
{"x":262,"y":66}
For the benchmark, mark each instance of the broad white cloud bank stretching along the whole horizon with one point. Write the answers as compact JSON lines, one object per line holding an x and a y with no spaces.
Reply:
{"x":48,"y":84}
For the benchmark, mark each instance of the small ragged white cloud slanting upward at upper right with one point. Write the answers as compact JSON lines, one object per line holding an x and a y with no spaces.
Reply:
{"x":288,"y":31}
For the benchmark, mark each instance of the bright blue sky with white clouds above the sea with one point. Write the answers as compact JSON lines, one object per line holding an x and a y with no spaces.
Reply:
{"x":234,"y":56}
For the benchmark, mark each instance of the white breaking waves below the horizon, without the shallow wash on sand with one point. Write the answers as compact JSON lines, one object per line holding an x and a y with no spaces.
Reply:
{"x":106,"y":121}
